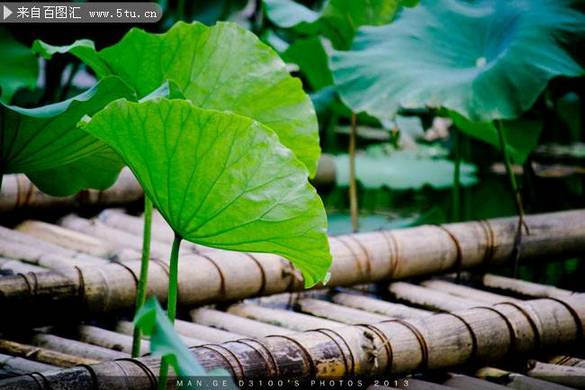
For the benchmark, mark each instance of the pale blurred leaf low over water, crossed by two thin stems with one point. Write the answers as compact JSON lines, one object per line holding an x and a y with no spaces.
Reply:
{"x":402,"y":170}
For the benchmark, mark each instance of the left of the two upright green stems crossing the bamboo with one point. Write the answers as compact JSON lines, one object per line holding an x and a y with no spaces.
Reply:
{"x":143,"y":280}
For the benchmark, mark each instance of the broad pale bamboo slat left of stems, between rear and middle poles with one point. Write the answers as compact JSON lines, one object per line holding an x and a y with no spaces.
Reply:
{"x":67,"y":238}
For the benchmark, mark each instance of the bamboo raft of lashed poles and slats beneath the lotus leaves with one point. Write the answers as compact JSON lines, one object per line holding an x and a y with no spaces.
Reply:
{"x":392,"y":308}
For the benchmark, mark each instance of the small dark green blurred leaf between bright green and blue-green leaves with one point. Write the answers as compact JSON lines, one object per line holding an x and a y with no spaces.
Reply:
{"x":309,"y":54}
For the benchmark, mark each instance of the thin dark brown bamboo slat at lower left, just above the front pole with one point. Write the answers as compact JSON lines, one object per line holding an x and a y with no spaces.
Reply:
{"x":43,"y":355}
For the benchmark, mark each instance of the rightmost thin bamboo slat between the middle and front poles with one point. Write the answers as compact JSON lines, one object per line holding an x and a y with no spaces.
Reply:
{"x":524,"y":288}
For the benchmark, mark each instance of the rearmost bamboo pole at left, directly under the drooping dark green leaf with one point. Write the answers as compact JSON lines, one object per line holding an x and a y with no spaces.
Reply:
{"x":18,"y":193}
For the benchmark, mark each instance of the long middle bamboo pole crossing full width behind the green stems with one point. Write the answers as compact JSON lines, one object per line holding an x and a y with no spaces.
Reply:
{"x":360,"y":258}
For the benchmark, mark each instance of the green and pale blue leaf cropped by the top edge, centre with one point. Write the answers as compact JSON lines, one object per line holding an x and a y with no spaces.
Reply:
{"x":338,"y":20}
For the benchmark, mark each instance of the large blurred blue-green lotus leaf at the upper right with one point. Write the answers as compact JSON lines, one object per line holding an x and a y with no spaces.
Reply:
{"x":485,"y":59}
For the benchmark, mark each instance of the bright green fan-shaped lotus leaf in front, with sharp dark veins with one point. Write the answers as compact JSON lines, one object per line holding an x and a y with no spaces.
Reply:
{"x":220,"y":179}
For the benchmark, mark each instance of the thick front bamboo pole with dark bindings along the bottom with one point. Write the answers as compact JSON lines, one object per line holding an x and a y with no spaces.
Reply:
{"x":394,"y":347}
